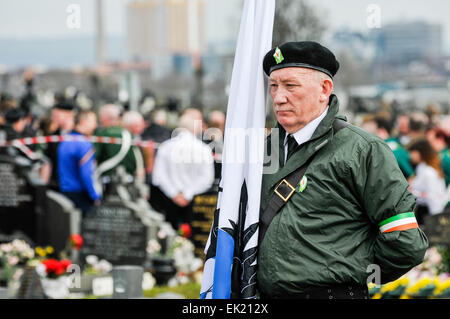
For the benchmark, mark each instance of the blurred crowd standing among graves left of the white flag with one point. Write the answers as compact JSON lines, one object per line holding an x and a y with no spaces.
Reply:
{"x":178,"y":164}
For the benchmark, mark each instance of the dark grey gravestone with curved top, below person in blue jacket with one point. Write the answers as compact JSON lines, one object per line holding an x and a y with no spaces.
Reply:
{"x":113,"y":232}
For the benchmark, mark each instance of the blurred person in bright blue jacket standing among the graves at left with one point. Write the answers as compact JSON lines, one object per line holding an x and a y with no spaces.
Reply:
{"x":76,"y":164}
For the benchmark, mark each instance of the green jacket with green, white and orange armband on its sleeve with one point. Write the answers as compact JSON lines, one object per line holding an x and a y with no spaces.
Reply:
{"x":349,"y":216}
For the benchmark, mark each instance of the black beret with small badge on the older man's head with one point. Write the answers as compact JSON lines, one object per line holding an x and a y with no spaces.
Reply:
{"x":305,"y":54}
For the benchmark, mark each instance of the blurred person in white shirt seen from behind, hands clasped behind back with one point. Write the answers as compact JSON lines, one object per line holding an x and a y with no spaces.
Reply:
{"x":184,"y":167}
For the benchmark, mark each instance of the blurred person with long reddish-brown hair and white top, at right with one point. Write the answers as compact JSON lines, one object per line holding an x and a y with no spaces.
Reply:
{"x":428,"y":184}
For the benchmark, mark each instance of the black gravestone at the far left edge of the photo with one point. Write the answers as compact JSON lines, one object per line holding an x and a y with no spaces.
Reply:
{"x":21,"y":196}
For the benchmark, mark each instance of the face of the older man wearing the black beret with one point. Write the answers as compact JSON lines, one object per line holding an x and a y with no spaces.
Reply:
{"x":298,"y":97}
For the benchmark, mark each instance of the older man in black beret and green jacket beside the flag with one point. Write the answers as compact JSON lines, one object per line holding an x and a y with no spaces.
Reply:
{"x":351,"y":217}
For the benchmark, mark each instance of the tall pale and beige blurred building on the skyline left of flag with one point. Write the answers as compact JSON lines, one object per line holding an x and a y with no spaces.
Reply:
{"x":167,"y":33}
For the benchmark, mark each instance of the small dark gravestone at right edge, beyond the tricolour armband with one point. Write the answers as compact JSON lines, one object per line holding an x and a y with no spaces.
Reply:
{"x":437,"y":229}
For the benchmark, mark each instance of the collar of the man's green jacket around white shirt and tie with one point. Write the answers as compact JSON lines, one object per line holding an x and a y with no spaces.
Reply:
{"x":322,"y":135}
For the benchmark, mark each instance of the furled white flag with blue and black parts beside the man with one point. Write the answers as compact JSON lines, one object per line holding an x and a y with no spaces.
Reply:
{"x":231,"y":249}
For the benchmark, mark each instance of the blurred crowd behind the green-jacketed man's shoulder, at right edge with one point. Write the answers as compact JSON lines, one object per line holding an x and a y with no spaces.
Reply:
{"x":420,"y":142}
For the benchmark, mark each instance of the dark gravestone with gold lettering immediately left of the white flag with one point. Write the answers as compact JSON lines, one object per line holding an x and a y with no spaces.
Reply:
{"x":202,"y":218}
